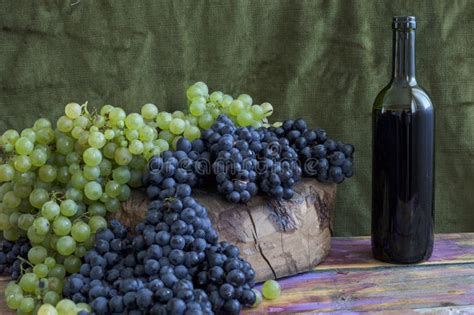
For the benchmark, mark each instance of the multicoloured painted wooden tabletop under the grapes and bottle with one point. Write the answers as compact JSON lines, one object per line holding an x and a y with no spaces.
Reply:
{"x":350,"y":281}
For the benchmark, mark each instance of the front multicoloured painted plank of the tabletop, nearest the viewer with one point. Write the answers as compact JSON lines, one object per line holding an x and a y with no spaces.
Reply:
{"x":374,"y":290}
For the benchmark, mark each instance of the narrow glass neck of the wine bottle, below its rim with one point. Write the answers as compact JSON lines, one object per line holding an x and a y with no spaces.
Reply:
{"x":404,"y":56}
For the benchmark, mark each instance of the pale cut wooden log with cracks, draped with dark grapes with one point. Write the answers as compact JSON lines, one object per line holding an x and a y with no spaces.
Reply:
{"x":279,"y":238}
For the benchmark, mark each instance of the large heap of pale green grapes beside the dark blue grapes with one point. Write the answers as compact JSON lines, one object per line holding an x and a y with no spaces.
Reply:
{"x":59,"y":181}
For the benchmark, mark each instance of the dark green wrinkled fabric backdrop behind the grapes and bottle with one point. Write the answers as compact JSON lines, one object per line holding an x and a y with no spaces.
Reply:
{"x":324,"y":61}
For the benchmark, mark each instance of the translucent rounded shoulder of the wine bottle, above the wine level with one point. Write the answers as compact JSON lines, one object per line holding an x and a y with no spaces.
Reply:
{"x":403,"y":97}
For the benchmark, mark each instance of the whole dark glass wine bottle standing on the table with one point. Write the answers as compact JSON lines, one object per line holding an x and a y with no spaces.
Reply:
{"x":403,"y":159}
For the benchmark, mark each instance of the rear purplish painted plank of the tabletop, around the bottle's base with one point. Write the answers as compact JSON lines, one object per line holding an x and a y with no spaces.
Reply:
{"x":355,"y":252}
